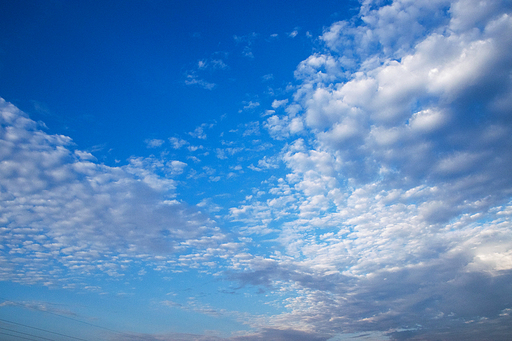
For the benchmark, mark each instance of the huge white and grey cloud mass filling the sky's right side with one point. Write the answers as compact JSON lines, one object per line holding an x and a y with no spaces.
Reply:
{"x":397,"y":215}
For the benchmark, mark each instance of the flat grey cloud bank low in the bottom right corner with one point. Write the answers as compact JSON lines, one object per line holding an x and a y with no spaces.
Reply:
{"x":434,"y":302}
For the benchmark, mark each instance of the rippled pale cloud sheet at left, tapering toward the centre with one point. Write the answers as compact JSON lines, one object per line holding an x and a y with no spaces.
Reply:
{"x":64,"y":215}
